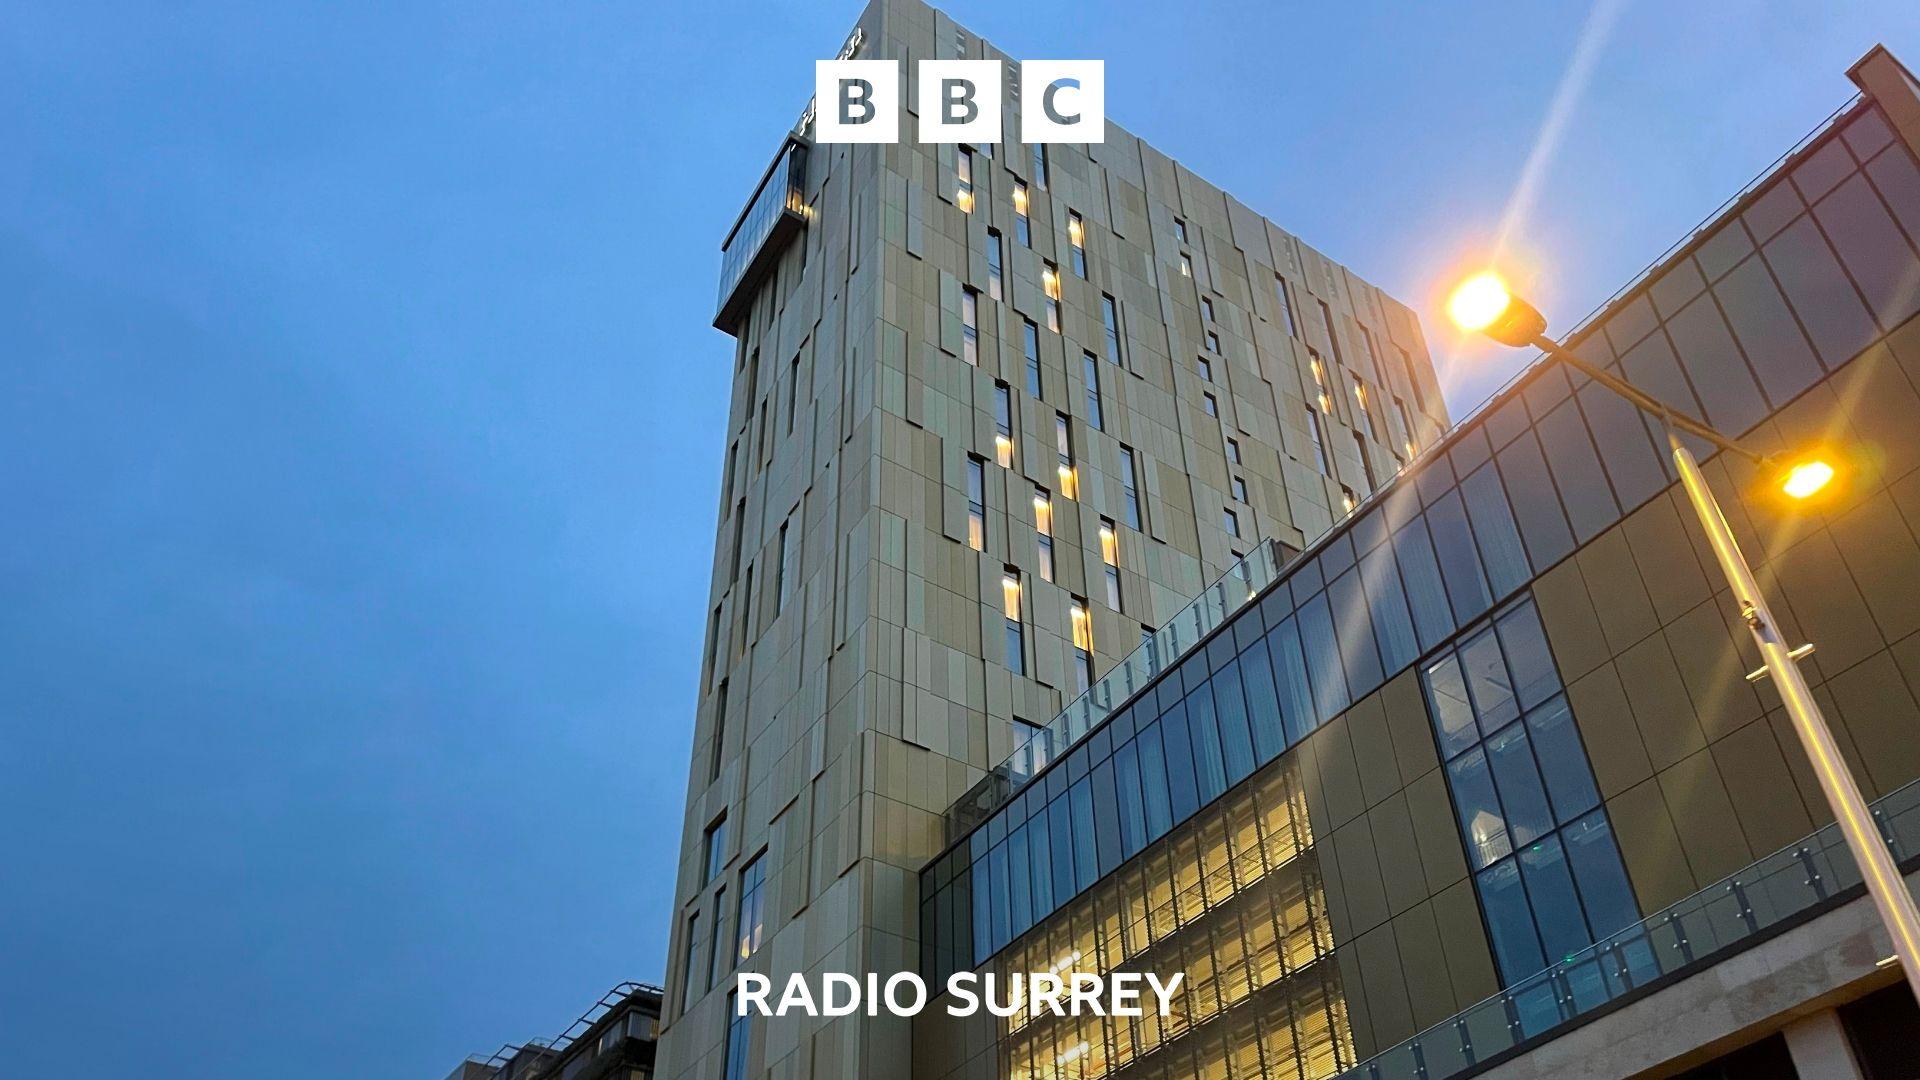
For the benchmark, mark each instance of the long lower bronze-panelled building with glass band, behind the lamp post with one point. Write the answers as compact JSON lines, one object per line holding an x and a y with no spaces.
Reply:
{"x":1479,"y":781}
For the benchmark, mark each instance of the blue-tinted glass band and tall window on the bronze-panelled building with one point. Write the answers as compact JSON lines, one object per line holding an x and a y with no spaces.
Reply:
{"x":1512,"y":493}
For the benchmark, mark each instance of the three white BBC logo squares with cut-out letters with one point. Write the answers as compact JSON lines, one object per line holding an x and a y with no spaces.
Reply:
{"x":959,"y":101}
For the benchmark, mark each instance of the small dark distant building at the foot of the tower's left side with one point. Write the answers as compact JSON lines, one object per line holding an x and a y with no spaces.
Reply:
{"x":613,"y":1041}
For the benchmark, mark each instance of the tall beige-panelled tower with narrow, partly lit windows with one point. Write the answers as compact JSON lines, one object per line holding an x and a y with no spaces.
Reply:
{"x":999,"y":416}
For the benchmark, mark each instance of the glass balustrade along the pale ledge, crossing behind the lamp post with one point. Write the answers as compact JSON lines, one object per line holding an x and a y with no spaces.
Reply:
{"x":1727,"y":918}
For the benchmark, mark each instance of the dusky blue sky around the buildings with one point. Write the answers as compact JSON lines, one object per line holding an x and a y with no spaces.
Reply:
{"x":352,"y":568}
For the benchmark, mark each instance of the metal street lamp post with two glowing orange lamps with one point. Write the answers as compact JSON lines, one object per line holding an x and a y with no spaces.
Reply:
{"x":1485,"y":305}
